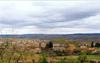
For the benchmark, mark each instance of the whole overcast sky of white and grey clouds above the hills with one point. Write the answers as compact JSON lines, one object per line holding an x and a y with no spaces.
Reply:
{"x":49,"y":17}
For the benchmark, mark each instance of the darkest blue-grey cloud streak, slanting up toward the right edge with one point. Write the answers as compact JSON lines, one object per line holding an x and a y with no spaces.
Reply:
{"x":50,"y":23}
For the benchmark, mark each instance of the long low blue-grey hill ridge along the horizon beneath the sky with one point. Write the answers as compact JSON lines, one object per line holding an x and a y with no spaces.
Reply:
{"x":80,"y":37}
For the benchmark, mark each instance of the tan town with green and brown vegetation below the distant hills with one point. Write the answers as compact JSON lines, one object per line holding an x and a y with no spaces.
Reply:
{"x":15,"y":50}
